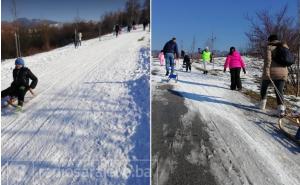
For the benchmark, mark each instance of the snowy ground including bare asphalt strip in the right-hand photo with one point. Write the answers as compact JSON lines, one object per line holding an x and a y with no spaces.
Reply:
{"x":220,"y":134}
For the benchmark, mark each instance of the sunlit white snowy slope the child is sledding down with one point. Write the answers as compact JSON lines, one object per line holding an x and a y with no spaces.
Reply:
{"x":81,"y":127}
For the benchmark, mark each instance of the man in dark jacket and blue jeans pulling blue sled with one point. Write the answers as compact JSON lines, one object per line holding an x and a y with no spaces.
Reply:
{"x":170,"y":50}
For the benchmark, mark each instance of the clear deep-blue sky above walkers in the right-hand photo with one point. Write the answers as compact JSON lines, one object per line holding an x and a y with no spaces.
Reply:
{"x":199,"y":18}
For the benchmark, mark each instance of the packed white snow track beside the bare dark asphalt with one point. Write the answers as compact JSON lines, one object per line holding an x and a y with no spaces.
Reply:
{"x":248,"y":147}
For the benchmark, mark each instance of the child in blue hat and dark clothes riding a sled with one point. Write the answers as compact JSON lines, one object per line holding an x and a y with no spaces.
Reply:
{"x":20,"y":84}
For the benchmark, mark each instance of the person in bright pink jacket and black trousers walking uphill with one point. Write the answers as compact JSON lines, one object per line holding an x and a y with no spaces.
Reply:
{"x":235,"y":62}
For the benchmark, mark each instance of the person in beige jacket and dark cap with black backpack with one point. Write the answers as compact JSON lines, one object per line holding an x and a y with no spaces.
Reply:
{"x":274,"y":71}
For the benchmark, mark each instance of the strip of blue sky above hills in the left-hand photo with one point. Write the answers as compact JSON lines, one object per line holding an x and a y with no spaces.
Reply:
{"x":60,"y":10}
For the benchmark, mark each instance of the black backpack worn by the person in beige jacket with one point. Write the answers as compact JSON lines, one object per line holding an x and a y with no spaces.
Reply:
{"x":283,"y":56}
